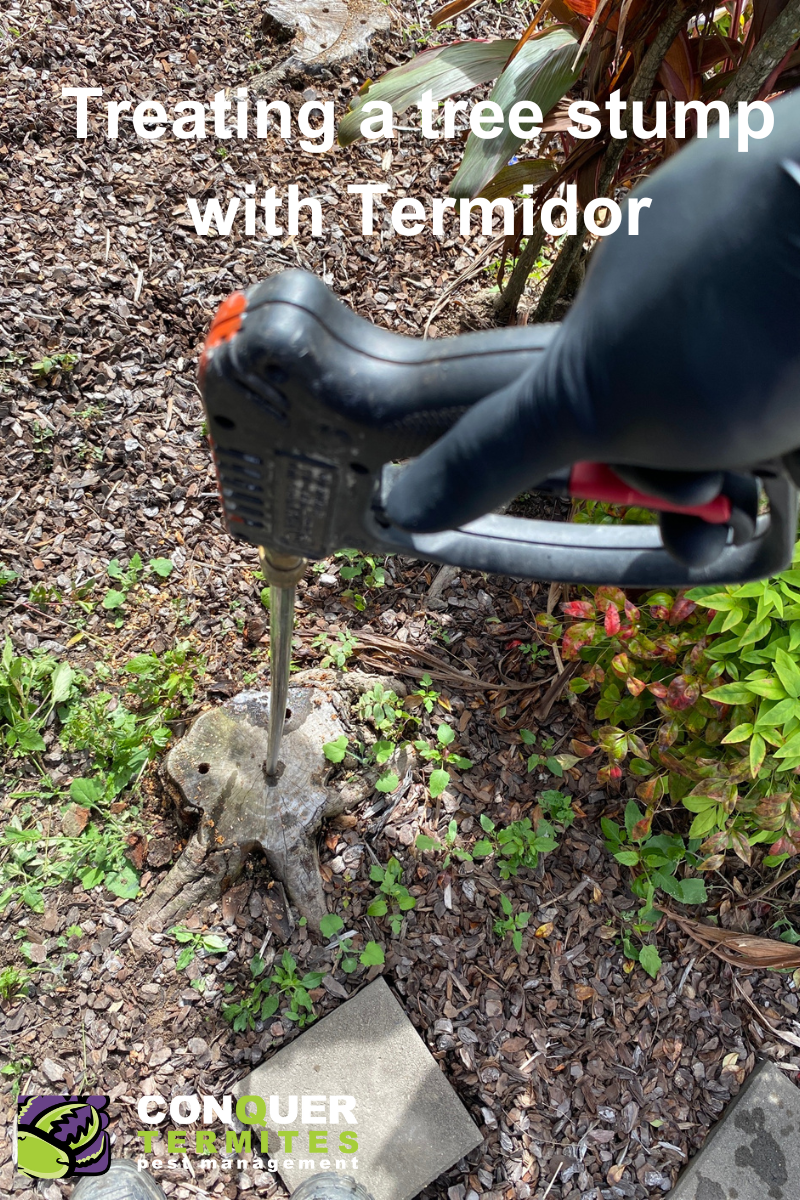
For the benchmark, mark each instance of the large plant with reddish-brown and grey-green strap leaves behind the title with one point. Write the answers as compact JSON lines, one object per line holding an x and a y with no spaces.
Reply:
{"x":648,"y":51}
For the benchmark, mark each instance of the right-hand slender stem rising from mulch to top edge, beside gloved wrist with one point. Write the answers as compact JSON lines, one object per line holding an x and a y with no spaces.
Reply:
{"x":641,"y":89}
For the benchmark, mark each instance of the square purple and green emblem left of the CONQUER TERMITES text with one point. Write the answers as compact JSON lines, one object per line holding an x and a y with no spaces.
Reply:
{"x":59,"y":1136}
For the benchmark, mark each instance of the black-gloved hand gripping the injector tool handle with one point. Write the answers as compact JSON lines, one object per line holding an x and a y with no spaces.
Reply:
{"x":679,"y":361}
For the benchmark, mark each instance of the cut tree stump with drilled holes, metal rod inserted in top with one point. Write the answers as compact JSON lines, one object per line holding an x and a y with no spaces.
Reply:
{"x":218,"y":772}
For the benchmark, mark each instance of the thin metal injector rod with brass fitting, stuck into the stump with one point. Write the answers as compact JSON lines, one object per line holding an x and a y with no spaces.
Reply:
{"x":282,"y":573}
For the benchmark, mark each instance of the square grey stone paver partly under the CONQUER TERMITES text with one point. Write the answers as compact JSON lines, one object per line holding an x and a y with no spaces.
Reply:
{"x":411,"y":1124}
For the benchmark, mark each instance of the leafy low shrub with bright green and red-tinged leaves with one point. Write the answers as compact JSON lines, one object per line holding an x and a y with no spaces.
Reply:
{"x":700,"y":699}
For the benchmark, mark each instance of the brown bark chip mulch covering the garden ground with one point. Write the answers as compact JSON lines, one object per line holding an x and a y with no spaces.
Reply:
{"x":585,"y":1076}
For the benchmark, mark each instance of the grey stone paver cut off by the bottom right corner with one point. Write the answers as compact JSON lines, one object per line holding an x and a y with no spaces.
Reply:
{"x":754,"y":1151}
